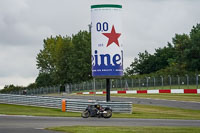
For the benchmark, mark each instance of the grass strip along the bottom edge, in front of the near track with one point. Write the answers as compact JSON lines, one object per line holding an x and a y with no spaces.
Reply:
{"x":107,"y":129}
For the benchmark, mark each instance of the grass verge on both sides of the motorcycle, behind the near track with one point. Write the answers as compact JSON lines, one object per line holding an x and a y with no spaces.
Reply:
{"x":139,"y":111}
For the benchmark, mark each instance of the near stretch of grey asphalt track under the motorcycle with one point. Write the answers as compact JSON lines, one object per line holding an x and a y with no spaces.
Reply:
{"x":32,"y":124}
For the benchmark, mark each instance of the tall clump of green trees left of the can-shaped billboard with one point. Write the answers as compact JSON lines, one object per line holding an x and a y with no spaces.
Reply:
{"x":65,"y":60}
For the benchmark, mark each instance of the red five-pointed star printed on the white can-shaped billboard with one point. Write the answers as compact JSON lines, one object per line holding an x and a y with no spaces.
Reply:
{"x":113,"y":37}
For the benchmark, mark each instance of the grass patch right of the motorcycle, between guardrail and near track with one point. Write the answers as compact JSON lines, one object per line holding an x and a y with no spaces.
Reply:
{"x":159,"y":112}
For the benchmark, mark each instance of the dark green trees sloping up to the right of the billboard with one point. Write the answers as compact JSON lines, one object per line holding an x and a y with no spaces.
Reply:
{"x":179,"y":58}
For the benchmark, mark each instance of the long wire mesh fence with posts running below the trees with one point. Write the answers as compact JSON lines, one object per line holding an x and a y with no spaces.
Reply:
{"x":146,"y":83}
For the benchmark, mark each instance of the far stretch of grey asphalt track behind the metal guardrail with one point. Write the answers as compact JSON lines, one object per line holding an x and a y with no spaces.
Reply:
{"x":148,"y":101}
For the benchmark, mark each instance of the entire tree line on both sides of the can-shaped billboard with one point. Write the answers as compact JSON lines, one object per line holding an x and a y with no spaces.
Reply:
{"x":67,"y":60}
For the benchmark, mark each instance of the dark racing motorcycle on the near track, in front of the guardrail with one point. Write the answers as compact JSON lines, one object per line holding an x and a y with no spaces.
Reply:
{"x":97,"y":111}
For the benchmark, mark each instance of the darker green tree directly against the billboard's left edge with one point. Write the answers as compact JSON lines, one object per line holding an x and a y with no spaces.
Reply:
{"x":82,"y":56}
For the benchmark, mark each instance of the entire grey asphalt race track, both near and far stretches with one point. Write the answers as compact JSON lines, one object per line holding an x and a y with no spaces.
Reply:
{"x":32,"y":124}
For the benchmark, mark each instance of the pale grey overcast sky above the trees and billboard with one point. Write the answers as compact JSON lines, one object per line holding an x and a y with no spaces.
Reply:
{"x":147,"y":24}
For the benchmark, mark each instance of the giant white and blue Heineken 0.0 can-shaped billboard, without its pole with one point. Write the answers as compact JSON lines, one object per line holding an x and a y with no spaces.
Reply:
{"x":107,"y":46}
